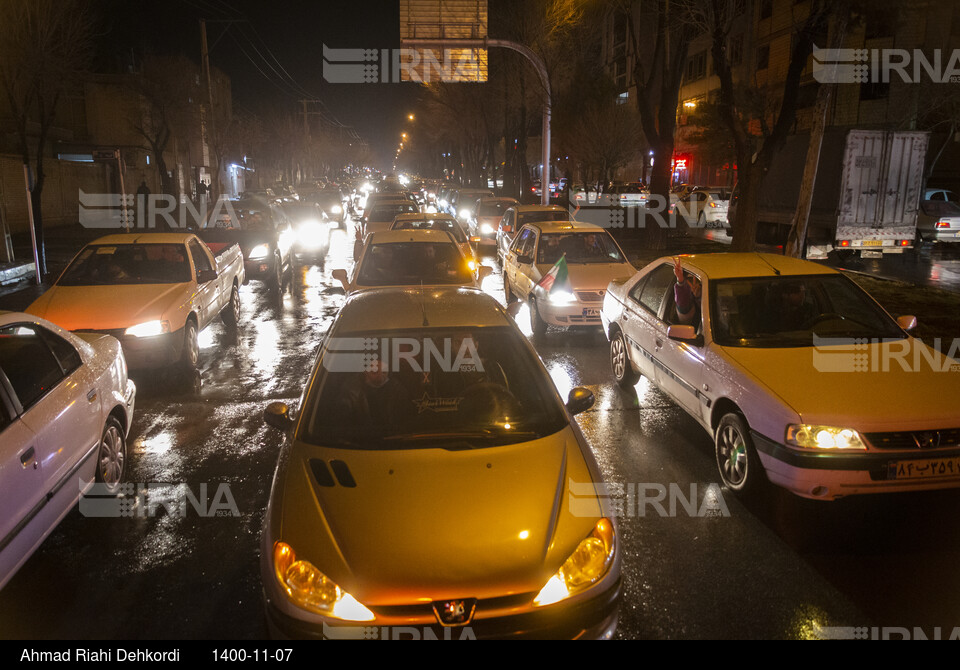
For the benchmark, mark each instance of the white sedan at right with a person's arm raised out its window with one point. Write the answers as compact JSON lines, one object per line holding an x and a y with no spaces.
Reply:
{"x":800,"y":377}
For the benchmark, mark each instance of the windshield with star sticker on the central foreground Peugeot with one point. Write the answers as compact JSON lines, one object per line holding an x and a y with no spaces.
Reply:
{"x":451,"y":389}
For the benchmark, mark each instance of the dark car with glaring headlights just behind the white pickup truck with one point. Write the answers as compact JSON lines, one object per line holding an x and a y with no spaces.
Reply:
{"x":265,"y":236}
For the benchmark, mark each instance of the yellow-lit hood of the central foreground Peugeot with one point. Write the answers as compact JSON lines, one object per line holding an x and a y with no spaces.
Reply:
{"x":431,"y":524}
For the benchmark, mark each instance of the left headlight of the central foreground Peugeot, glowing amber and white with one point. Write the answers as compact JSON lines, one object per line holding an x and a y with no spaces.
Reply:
{"x":312,"y":590}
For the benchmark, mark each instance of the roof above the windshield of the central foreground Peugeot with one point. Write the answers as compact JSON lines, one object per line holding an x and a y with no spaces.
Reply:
{"x":412,"y":307}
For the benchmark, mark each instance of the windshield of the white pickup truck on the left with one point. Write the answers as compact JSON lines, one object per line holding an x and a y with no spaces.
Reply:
{"x":121,"y":264}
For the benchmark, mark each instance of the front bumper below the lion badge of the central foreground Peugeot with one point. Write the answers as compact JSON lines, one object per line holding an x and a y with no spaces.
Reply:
{"x":593,"y":618}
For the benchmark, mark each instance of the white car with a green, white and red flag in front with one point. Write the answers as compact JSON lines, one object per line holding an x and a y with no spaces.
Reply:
{"x":593,"y":259}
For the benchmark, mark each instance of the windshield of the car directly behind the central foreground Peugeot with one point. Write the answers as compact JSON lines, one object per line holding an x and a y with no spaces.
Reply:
{"x":413,"y":263}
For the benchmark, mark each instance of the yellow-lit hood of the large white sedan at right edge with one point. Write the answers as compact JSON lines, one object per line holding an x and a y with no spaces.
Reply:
{"x":895,"y":385}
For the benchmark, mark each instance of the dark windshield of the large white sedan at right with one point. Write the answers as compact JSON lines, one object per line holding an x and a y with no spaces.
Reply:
{"x":798,"y":311}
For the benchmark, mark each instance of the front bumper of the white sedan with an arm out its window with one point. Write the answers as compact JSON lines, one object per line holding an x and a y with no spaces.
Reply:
{"x":830,"y":476}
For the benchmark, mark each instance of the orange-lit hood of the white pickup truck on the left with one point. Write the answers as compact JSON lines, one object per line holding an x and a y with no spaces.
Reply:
{"x":109,"y":307}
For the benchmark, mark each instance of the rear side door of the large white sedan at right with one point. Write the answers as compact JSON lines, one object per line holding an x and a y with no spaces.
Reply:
{"x":641,"y":317}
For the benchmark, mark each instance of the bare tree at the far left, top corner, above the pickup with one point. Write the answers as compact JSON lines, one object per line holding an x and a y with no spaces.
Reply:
{"x":43,"y":46}
